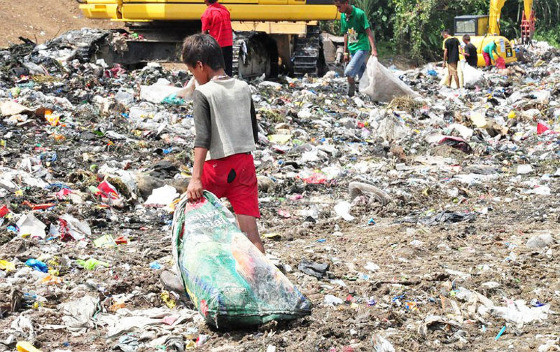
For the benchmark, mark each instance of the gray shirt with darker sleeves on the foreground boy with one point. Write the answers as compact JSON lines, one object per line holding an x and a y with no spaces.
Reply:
{"x":224,"y":118}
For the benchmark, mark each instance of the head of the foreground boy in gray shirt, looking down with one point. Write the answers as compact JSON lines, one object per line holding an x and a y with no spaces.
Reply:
{"x":203,"y":56}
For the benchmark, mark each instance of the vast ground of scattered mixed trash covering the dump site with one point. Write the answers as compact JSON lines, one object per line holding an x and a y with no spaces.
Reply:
{"x":426,"y":222}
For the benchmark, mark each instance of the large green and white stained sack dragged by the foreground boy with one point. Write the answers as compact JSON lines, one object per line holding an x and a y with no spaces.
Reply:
{"x":227,"y":278}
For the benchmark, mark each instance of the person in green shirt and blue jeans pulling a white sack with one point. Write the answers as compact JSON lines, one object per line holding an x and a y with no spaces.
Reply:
{"x":359,"y":42}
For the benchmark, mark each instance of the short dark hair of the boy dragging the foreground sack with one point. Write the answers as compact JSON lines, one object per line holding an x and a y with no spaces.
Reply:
{"x":202,"y":47}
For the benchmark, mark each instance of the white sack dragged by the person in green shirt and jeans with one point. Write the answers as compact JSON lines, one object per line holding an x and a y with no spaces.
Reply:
{"x":381,"y":85}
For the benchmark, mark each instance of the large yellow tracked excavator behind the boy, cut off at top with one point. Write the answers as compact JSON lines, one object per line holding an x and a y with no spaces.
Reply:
{"x":270,"y":35}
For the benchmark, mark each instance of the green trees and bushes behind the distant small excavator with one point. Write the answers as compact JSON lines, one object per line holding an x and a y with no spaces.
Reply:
{"x":413,"y":27}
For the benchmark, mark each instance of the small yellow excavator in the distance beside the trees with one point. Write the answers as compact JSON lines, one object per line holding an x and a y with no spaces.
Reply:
{"x":485,"y":29}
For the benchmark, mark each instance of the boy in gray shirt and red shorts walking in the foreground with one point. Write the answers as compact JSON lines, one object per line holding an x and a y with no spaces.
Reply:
{"x":226,"y":133}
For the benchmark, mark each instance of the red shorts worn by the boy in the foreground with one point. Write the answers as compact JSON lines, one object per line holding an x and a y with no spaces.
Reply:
{"x":234,"y":177}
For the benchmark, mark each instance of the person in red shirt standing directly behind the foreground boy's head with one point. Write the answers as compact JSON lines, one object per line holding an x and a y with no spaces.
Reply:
{"x":216,"y":21}
